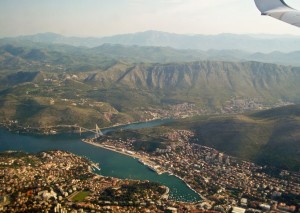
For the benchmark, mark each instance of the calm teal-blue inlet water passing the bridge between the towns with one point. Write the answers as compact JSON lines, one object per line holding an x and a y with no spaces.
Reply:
{"x":111,"y":163}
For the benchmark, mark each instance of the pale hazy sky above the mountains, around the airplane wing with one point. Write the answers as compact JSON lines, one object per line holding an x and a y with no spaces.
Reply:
{"x":108,"y":17}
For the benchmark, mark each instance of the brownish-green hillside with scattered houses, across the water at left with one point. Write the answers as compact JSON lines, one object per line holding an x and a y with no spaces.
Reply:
{"x":42,"y":106}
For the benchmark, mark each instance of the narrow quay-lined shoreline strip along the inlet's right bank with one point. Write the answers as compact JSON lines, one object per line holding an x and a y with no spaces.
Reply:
{"x":140,"y":159}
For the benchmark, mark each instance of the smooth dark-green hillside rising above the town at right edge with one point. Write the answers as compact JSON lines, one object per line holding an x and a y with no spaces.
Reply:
{"x":269,"y":137}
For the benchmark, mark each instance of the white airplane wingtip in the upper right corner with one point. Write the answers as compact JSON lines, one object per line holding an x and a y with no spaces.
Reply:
{"x":280,"y":10}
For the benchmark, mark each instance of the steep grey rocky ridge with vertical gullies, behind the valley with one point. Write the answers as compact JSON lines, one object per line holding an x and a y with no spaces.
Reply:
{"x":205,"y":81}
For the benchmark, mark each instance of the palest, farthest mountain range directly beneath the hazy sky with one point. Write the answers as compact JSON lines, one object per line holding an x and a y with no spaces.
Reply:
{"x":249,"y":43}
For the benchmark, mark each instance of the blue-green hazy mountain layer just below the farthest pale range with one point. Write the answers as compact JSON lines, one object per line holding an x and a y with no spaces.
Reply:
{"x":28,"y":56}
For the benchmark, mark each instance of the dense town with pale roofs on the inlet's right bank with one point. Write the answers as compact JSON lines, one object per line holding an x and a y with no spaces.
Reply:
{"x":225,"y":183}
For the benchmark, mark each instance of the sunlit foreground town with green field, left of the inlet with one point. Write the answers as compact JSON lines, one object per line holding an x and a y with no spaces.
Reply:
{"x":58,"y":181}
